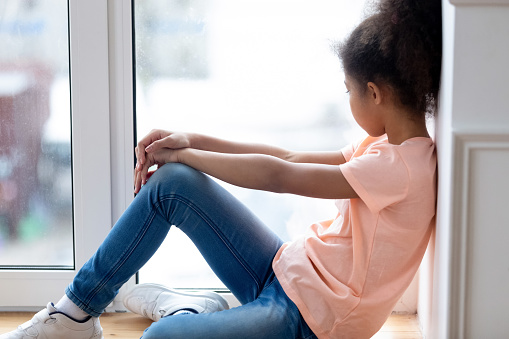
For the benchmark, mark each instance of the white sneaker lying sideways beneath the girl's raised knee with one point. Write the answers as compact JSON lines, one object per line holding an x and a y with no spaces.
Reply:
{"x":156,"y":301}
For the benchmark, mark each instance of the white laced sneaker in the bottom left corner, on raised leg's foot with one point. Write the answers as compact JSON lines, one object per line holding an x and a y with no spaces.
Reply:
{"x":52,"y":324}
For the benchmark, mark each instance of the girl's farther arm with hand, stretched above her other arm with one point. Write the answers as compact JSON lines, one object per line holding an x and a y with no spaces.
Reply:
{"x":159,"y":139}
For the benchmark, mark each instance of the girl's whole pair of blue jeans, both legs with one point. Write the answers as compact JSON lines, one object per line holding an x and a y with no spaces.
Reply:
{"x":235,"y":243}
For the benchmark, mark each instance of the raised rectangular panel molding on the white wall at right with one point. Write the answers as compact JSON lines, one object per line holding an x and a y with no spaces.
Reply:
{"x":465,"y":143}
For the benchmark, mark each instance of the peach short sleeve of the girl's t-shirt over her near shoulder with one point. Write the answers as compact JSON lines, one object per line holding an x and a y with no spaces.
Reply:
{"x":379,"y":176}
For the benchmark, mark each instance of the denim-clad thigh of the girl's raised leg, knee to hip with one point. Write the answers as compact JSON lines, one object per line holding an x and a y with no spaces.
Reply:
{"x":236,"y":244}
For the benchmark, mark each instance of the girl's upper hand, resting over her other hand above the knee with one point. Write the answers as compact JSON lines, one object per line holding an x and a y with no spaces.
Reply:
{"x":156,"y":140}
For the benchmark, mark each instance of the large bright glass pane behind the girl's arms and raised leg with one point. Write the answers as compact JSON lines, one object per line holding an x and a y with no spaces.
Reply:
{"x":260,"y":71}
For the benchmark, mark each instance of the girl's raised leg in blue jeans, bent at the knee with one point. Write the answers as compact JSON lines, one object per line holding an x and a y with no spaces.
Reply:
{"x":238,"y":247}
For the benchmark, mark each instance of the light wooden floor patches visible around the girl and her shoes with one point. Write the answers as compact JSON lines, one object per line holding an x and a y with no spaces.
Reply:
{"x":128,"y":325}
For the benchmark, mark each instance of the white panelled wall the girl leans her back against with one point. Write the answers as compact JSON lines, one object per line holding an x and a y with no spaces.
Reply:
{"x":470,"y":295}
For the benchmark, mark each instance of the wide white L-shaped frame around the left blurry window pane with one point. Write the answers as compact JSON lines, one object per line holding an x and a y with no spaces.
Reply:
{"x":88,"y":34}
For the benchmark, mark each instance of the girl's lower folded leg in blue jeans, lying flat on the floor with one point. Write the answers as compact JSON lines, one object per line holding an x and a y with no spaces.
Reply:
{"x":271,"y":315}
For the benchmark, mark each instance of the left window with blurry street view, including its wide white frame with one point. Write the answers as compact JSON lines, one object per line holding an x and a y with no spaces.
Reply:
{"x":55,"y":57}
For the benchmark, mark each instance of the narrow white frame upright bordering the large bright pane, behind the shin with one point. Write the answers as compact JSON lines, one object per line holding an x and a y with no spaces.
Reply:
{"x":121,"y":117}
